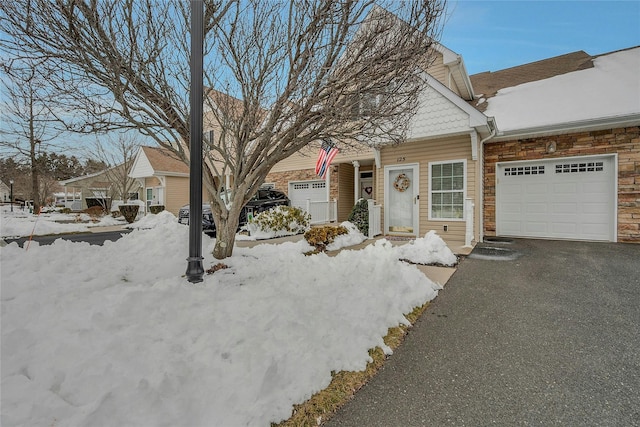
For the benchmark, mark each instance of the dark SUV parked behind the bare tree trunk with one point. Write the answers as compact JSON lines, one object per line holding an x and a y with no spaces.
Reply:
{"x":263,"y":200}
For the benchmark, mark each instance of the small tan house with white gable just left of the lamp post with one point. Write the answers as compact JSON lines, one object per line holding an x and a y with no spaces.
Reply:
{"x":162,"y":177}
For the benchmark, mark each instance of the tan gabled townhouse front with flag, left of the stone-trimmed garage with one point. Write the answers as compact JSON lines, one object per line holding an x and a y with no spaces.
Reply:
{"x":432,"y":181}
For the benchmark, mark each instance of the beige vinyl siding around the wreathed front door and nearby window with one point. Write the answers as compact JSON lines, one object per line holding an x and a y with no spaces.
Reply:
{"x":423,"y":152}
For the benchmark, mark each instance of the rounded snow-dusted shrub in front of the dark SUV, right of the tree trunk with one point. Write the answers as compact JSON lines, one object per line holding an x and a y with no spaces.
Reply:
{"x":283,"y":220}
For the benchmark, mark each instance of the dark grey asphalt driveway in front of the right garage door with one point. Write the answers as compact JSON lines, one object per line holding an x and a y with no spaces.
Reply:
{"x":550,"y":336}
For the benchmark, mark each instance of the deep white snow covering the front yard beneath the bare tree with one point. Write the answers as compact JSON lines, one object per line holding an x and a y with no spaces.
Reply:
{"x":115,"y":335}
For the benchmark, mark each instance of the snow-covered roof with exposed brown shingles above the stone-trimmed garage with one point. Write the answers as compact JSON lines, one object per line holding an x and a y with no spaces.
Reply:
{"x":570,"y":93}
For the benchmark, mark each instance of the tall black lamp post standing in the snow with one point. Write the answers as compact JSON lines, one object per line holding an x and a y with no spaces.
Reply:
{"x":195,"y":270}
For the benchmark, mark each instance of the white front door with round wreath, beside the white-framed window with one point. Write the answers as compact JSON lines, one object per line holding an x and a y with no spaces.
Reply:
{"x":401,"y":204}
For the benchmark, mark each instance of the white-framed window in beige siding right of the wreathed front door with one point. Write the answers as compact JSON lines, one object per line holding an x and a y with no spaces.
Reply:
{"x":447,"y":190}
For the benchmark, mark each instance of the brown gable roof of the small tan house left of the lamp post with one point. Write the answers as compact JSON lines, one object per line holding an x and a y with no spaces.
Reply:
{"x":152,"y":161}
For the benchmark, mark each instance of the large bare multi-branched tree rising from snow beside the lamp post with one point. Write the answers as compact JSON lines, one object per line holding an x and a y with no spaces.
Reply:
{"x":282,"y":74}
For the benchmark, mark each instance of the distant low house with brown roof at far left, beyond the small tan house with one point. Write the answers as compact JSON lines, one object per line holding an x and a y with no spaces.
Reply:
{"x":96,"y":189}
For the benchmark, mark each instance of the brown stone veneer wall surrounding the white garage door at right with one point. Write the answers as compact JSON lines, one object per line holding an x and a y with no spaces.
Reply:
{"x":624,"y":141}
